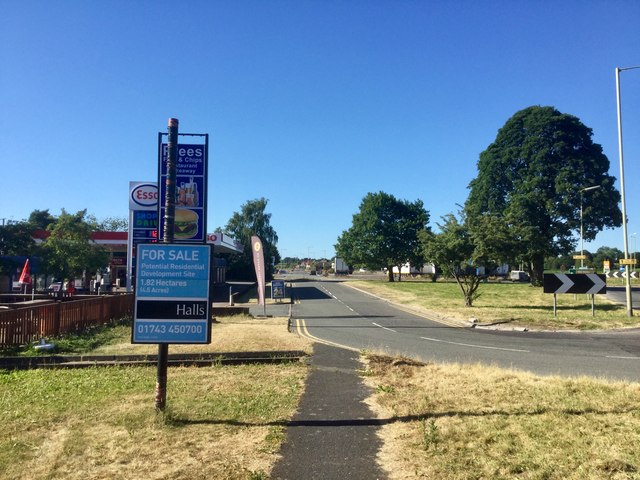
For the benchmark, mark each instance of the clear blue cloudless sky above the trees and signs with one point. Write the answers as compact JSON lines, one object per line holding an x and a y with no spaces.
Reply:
{"x":310,"y":104}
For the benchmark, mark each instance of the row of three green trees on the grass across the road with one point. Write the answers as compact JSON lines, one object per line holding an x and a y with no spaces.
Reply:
{"x":527,"y":203}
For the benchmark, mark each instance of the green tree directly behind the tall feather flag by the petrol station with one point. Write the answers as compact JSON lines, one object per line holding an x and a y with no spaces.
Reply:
{"x":252,"y":219}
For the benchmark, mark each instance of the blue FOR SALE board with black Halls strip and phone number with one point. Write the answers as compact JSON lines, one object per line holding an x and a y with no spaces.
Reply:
{"x":172,"y":294}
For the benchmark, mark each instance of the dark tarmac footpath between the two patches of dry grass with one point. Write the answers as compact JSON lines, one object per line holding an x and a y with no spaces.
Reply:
{"x":333,"y":434}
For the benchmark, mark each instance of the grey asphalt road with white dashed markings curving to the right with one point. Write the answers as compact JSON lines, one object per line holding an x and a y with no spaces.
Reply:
{"x":335,"y":313}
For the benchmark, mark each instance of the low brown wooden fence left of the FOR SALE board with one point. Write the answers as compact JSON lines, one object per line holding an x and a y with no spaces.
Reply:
{"x":23,"y":325}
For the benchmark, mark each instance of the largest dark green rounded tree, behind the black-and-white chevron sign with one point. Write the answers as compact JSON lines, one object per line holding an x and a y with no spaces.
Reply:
{"x":524,"y":204}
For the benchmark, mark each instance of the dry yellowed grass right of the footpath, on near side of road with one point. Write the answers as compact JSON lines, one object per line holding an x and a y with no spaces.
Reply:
{"x":474,"y":422}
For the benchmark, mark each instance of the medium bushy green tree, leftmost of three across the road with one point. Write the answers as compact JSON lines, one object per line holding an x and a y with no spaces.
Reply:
{"x":384,"y":233}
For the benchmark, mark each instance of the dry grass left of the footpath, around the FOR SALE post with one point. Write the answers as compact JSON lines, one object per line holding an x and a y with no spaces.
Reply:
{"x":100,"y":423}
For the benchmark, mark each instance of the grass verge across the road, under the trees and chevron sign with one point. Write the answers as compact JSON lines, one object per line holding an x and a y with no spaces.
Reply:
{"x":505,"y":304}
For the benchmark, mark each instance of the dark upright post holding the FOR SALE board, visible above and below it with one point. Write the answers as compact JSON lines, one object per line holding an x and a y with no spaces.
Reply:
{"x":169,"y":220}
